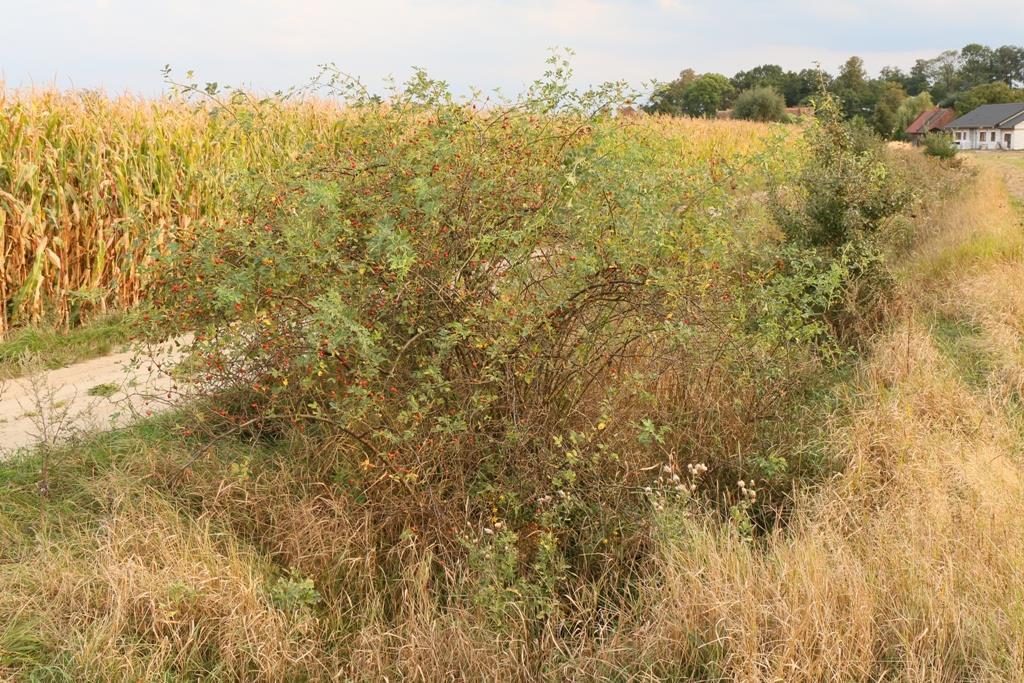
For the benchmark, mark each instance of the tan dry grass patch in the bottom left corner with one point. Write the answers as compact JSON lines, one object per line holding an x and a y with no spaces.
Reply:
{"x":155,"y":593}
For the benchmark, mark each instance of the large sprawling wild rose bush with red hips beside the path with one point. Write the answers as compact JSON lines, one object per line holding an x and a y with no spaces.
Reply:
{"x":529,"y":317}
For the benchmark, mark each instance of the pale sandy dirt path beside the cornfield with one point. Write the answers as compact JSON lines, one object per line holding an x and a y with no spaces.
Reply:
{"x":102,"y":394}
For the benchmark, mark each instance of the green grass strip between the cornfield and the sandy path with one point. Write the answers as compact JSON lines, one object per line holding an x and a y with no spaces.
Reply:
{"x":50,"y":349}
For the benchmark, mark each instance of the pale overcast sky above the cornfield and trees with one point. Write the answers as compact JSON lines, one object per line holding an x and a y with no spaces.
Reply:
{"x":122,"y":45}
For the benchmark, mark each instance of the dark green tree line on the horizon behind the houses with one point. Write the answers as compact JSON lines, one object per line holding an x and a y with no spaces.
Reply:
{"x":963,"y":79}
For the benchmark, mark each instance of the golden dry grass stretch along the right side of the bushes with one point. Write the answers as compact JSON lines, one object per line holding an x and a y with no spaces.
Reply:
{"x":908,"y":567}
